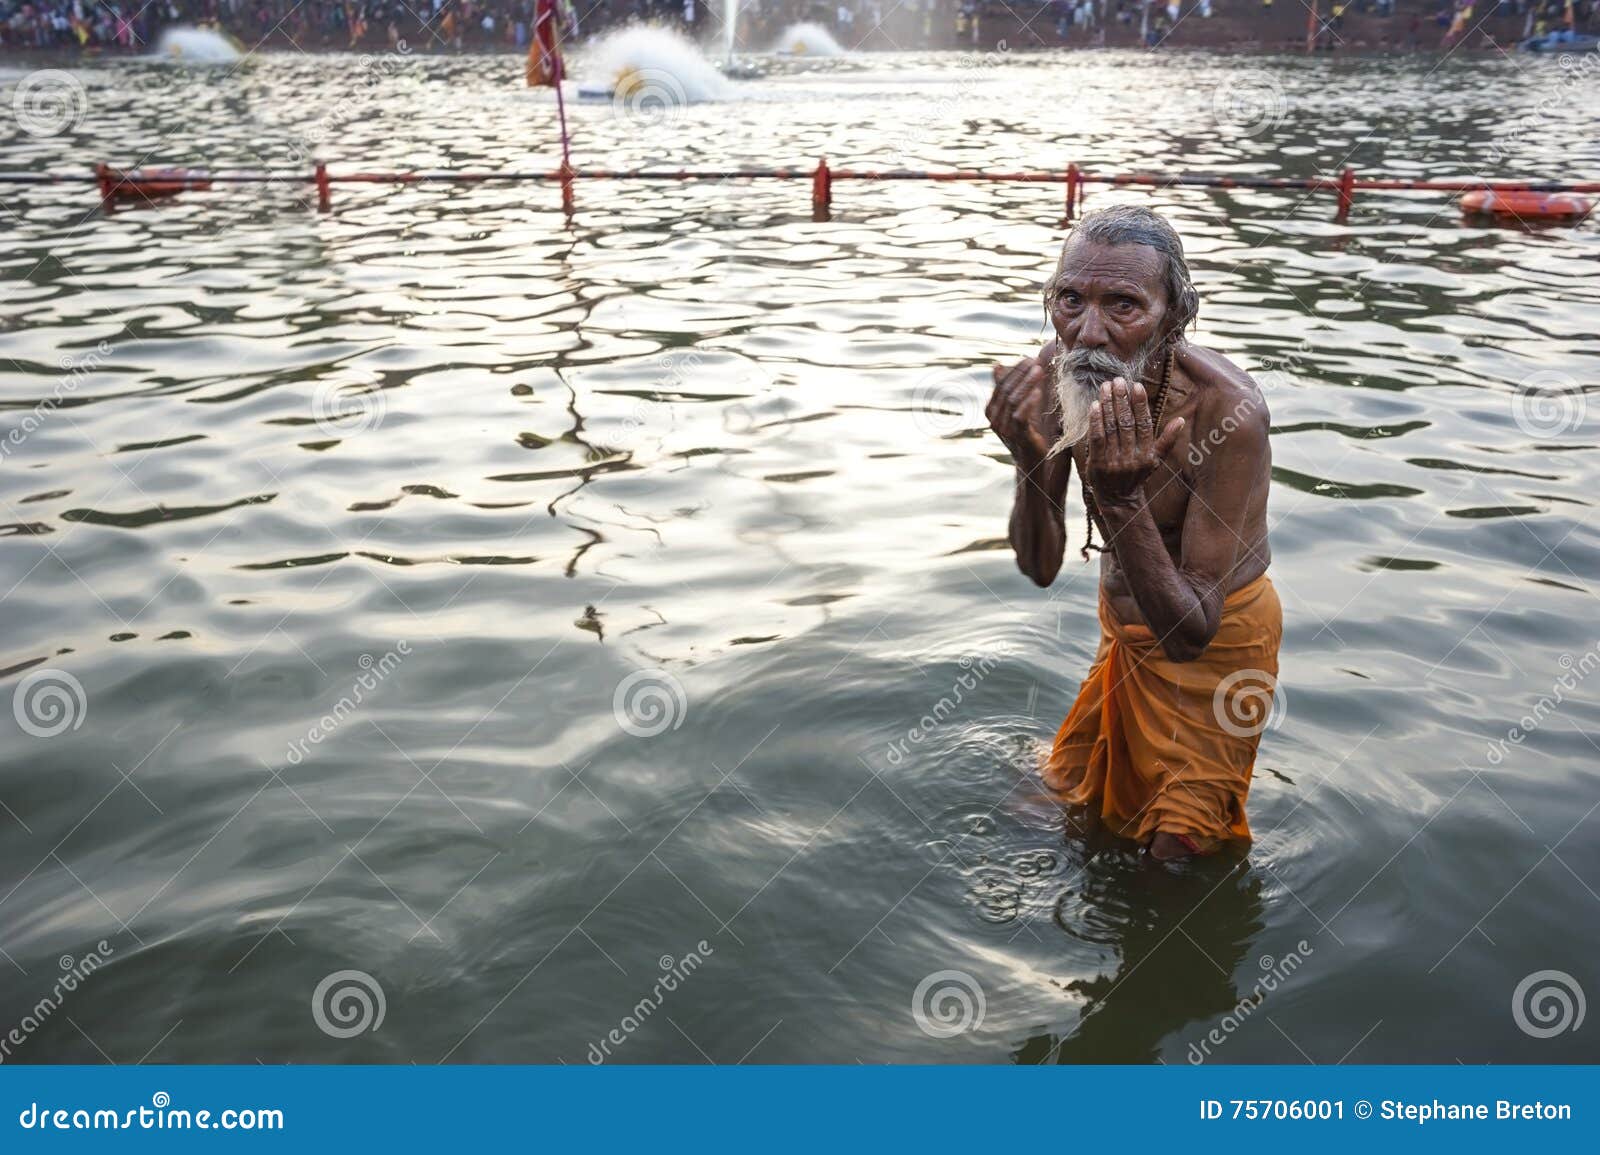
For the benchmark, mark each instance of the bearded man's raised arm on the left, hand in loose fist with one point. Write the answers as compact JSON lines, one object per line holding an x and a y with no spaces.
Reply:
{"x":1023,"y":414}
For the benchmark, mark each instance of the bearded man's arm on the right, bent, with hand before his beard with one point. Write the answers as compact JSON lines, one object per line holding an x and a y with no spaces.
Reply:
{"x":1183,"y":602}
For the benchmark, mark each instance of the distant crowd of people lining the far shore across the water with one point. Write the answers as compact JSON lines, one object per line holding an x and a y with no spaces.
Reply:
{"x":134,"y":26}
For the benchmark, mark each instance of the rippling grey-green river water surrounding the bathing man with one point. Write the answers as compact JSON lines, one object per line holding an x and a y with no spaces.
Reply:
{"x":606,"y":631}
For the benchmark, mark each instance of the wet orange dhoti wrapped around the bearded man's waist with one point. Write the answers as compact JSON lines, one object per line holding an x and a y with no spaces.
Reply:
{"x":1159,"y":746}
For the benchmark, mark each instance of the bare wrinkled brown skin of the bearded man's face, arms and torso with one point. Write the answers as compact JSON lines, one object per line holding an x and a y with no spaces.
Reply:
{"x":1183,"y":510}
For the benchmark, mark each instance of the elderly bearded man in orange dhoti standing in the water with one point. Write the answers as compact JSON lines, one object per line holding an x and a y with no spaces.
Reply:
{"x":1170,"y":442}
